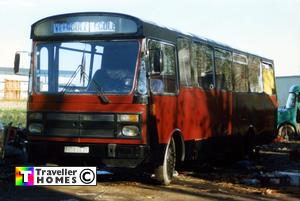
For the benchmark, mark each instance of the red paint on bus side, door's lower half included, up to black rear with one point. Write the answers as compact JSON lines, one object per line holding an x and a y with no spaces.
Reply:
{"x":198,"y":114}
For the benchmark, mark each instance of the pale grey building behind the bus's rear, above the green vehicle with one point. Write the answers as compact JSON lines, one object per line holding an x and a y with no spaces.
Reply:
{"x":283,"y":85}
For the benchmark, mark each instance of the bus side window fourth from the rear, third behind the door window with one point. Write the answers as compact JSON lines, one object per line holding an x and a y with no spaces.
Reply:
{"x":223,"y":61}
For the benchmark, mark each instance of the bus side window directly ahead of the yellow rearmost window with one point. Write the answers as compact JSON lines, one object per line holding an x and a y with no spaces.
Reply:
{"x":254,"y":74}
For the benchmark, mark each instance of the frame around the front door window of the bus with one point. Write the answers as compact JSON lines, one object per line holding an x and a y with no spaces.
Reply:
{"x":149,"y":70}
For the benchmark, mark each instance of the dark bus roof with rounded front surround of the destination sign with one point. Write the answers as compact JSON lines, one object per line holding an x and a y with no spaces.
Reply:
{"x":143,"y":29}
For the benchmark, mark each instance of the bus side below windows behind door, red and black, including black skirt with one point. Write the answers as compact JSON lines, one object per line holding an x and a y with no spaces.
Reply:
{"x":218,"y":122}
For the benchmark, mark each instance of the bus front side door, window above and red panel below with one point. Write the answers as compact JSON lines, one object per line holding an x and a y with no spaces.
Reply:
{"x":163,"y":86}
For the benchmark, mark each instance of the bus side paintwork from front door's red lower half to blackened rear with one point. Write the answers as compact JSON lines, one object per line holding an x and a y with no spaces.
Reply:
{"x":200,"y":114}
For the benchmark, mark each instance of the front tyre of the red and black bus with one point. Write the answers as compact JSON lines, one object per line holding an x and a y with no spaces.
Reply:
{"x":164,"y":173}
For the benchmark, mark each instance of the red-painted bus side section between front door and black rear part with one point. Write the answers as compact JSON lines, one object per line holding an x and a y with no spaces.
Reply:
{"x":203,"y":114}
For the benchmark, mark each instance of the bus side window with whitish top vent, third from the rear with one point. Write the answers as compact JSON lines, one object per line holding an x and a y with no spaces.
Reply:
{"x":240,"y":74}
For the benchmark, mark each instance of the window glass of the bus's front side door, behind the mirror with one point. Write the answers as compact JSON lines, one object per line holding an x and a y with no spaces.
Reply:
{"x":163,"y":64}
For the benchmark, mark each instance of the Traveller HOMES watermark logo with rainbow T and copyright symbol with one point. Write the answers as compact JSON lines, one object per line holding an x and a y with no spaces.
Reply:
{"x":56,"y":176}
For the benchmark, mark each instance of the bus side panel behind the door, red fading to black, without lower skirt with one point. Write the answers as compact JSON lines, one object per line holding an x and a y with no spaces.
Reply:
{"x":203,"y":114}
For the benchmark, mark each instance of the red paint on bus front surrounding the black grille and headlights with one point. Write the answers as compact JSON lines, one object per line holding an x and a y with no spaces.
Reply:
{"x":88,"y":103}
